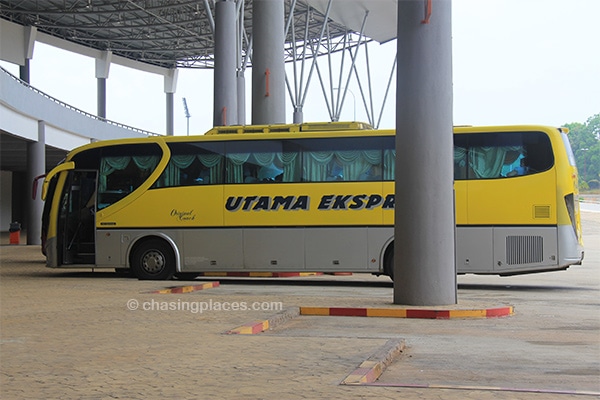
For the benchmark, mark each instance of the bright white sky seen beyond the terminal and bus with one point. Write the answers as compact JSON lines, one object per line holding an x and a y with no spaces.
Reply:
{"x":514,"y":62}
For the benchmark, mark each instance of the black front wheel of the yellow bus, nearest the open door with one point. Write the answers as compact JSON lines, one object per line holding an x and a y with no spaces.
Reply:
{"x":153,"y":259}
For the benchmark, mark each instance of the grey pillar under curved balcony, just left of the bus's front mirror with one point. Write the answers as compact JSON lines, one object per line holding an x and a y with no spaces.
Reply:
{"x":36,"y":166}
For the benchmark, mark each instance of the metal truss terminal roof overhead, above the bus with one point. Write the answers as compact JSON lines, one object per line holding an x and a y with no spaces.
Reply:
{"x":179,"y":33}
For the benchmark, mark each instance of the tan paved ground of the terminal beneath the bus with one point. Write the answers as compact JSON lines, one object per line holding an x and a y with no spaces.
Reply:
{"x":75,"y":335}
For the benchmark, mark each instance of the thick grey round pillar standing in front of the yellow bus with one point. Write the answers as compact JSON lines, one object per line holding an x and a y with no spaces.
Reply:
{"x":424,"y":268}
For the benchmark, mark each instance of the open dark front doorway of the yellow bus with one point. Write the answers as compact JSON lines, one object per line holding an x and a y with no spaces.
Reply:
{"x":77,"y":219}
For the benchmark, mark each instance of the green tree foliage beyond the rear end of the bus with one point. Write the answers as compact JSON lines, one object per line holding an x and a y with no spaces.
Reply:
{"x":585,"y":141}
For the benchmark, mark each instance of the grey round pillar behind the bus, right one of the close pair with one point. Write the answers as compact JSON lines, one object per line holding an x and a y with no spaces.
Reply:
{"x":268,"y":68}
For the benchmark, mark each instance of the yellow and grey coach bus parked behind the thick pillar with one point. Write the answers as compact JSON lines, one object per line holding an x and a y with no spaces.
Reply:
{"x":307,"y":197}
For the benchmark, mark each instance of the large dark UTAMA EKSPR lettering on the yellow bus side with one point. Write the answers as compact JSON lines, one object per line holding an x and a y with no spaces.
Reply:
{"x":293,"y":203}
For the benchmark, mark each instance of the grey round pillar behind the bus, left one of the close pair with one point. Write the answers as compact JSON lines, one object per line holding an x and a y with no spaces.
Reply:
{"x":225,"y":88}
